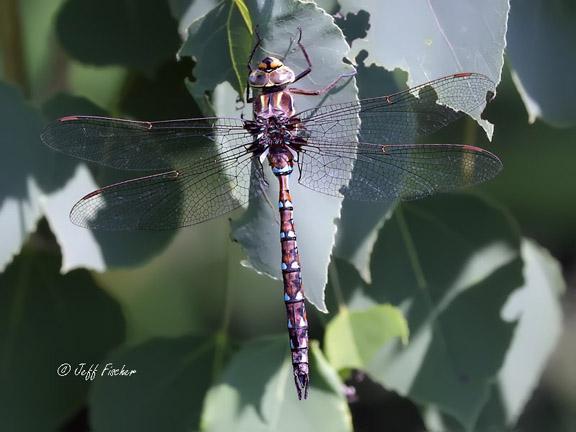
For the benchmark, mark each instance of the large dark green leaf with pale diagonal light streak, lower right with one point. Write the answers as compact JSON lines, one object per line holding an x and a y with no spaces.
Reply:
{"x":451,"y":262}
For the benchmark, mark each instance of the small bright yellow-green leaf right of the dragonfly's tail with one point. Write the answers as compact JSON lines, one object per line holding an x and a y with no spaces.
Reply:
{"x":354,"y":337}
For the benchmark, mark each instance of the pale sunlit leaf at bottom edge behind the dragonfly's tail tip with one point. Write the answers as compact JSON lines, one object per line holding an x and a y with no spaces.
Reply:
{"x":257,"y":393}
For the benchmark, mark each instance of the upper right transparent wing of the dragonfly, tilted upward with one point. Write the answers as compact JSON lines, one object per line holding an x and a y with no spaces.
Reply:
{"x":401,"y":117}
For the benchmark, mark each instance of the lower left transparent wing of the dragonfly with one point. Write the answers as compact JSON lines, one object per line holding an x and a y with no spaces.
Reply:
{"x":170,"y":199}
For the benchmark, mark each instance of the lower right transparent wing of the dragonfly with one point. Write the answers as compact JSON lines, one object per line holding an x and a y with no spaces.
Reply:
{"x":387,"y":172}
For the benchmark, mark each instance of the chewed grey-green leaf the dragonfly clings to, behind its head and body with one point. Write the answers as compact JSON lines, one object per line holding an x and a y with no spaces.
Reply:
{"x":314,"y":214}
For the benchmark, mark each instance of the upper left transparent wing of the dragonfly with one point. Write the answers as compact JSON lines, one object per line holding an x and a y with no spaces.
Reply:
{"x":138,"y":145}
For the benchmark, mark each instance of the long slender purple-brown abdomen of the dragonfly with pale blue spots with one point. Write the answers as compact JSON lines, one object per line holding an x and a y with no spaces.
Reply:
{"x":293,"y":294}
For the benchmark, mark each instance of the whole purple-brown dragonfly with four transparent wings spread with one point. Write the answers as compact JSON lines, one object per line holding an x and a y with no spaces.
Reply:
{"x":201,"y":168}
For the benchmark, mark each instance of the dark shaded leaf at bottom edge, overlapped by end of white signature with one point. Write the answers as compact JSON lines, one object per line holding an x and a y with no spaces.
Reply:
{"x":165,"y":392}
